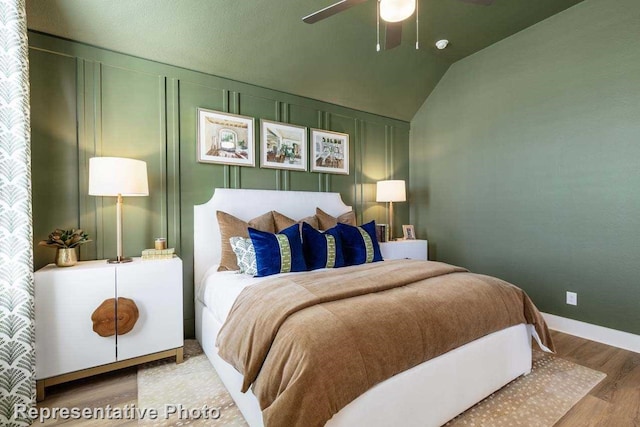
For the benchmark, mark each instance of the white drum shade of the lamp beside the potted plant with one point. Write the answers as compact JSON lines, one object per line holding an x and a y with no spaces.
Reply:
{"x":110,"y":176}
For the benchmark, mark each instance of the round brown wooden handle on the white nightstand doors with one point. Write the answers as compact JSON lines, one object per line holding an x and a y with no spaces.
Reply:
{"x":108,"y":322}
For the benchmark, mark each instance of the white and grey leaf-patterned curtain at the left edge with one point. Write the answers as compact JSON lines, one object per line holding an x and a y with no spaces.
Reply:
{"x":17,"y":354}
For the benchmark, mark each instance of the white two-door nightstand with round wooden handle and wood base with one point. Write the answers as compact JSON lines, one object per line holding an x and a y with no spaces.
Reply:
{"x":67,"y":348}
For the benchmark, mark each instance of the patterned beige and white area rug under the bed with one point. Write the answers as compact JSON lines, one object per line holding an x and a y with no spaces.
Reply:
{"x":539,"y":399}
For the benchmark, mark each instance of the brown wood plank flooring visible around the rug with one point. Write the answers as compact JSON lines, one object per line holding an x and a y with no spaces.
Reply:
{"x":615,"y":402}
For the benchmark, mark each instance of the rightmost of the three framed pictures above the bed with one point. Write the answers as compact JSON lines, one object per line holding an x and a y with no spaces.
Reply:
{"x":329,"y":152}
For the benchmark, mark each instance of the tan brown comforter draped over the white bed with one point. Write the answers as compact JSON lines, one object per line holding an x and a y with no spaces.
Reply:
{"x":311,"y":343}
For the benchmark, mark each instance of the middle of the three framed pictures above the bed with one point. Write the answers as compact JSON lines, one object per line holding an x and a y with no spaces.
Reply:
{"x":283,"y":146}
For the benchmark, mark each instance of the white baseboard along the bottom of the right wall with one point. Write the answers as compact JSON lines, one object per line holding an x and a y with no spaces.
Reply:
{"x":592,"y":332}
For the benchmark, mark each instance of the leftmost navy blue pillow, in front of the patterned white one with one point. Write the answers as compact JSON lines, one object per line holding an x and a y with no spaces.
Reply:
{"x":278,"y":253}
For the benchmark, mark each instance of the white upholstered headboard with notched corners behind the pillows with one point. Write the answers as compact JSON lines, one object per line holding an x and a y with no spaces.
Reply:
{"x":246,"y":205}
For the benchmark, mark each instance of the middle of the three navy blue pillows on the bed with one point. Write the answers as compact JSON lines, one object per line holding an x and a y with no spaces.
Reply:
{"x":322,"y":250}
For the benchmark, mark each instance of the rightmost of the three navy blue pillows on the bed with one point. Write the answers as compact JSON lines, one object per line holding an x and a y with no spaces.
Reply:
{"x":359,"y":244}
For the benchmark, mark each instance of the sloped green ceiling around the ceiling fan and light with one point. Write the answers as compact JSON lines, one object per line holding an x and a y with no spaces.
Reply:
{"x":265,"y":42}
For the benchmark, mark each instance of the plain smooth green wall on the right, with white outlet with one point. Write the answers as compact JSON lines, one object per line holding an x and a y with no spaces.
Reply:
{"x":525,"y":163}
